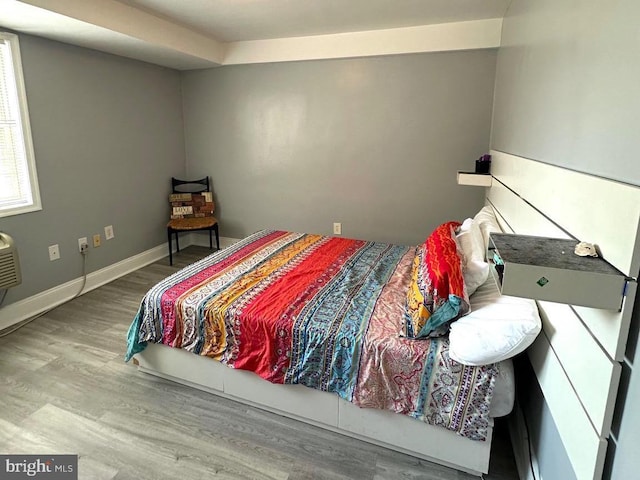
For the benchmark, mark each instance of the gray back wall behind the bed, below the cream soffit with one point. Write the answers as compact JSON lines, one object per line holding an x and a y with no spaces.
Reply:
{"x":373,"y":143}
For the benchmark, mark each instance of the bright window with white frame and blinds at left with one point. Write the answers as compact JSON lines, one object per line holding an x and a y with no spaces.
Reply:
{"x":18,"y":181}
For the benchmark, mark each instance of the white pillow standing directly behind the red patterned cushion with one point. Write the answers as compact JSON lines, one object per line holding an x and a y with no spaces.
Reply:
{"x":474,"y":269}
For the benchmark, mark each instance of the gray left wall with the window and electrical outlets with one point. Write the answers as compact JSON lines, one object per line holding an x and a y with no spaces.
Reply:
{"x":107,"y":134}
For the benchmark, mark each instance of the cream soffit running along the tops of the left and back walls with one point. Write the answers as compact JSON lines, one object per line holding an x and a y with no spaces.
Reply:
{"x":123,"y":29}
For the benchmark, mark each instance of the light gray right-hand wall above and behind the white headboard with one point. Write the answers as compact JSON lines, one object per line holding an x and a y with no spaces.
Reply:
{"x":568,"y":93}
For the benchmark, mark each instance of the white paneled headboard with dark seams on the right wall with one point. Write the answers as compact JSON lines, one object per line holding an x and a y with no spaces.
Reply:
{"x":577,"y":356}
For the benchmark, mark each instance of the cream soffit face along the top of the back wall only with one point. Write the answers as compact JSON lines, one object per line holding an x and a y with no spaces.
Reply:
{"x":471,"y":35}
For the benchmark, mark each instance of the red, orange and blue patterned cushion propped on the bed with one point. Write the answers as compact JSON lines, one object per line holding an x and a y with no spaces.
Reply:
{"x":437,"y":294}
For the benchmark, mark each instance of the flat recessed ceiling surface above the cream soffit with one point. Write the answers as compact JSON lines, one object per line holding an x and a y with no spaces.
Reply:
{"x":238,"y":20}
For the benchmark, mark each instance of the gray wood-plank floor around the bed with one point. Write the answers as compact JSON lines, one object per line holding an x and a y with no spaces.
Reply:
{"x":64,"y":388}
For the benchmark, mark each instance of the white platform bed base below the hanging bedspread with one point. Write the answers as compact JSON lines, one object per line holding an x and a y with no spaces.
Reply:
{"x":322,"y":409}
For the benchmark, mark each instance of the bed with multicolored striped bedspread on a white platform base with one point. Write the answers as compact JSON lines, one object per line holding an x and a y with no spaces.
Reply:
{"x":329,"y":313}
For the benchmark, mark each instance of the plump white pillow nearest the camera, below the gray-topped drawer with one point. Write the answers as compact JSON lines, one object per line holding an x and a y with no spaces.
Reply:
{"x":498,"y":327}
